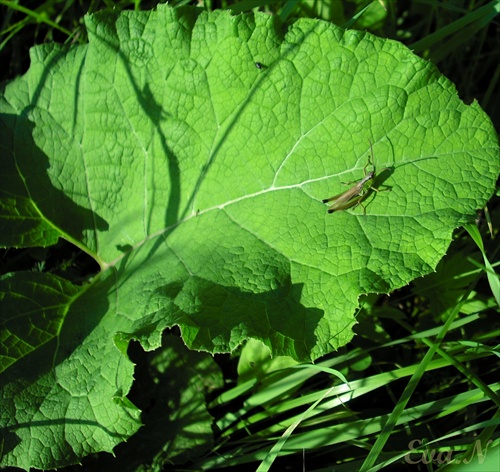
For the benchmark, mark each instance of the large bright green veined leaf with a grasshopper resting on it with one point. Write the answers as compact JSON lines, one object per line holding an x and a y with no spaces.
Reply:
{"x":195,"y":179}
